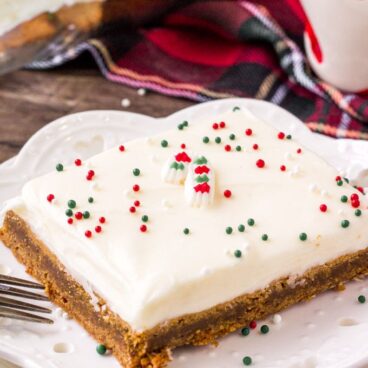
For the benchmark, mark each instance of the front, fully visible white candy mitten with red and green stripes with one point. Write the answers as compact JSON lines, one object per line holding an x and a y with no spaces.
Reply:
{"x":200,"y":183}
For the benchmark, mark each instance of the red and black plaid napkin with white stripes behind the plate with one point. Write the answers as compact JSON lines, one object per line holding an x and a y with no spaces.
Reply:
{"x":215,"y":49}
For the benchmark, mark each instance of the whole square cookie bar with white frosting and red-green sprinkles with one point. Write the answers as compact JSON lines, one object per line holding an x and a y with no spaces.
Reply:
{"x":186,"y":236}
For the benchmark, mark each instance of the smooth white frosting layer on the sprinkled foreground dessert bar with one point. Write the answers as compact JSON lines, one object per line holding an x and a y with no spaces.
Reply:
{"x":149,"y":277}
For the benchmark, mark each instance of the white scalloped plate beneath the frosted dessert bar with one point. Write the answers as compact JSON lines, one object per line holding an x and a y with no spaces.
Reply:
{"x":330,"y":331}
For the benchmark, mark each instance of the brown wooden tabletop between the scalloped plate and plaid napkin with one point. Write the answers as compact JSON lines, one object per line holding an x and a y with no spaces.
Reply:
{"x":31,"y":99}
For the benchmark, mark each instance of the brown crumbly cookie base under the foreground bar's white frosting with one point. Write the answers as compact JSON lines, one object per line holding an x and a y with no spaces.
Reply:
{"x":152,"y":347}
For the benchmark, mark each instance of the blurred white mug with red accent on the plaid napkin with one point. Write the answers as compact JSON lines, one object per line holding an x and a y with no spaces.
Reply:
{"x":336,"y":42}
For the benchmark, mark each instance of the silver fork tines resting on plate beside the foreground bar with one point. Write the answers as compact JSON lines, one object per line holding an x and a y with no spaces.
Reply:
{"x":13,"y":308}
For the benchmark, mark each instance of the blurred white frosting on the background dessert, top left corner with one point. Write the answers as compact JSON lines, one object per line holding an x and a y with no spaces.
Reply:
{"x":15,"y":12}
